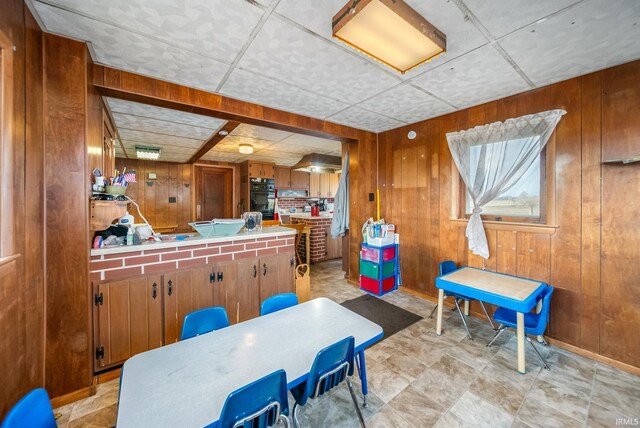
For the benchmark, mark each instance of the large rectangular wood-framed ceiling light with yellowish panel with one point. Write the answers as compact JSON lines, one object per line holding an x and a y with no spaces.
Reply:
{"x":389,"y":31}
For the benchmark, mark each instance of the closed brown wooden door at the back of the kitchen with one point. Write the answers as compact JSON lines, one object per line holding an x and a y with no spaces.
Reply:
{"x":214,"y":192}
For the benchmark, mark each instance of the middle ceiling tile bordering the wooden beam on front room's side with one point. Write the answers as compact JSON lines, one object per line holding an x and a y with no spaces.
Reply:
{"x":268,"y":92}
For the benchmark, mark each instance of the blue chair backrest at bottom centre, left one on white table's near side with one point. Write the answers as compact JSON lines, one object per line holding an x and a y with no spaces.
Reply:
{"x":257,"y":404}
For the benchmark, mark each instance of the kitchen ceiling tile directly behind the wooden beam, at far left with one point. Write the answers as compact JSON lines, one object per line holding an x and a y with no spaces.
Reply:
{"x":145,"y":110}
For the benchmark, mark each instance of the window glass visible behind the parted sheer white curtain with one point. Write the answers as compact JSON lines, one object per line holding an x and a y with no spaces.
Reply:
{"x":524,"y":202}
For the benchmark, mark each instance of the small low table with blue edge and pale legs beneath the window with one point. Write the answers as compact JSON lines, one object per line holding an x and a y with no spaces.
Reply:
{"x":518,"y":294}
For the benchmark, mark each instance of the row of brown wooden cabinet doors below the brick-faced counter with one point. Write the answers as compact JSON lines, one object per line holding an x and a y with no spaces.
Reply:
{"x":135,"y":315}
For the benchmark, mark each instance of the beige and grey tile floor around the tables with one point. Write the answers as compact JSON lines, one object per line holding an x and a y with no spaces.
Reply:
{"x":417,"y":379}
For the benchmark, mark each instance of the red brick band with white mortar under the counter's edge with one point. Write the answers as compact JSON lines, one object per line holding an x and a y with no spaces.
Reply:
{"x":123,"y":265}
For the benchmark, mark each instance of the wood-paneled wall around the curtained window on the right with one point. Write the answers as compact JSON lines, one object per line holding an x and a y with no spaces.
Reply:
{"x":591,"y":258}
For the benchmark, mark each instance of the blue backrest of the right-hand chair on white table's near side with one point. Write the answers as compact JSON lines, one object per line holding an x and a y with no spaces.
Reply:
{"x":329,"y":369}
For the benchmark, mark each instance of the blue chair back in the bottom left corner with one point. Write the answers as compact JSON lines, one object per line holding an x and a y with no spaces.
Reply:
{"x":33,"y":411}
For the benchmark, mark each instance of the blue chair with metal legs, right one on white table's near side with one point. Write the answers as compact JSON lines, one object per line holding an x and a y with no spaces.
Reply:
{"x":332,"y":366}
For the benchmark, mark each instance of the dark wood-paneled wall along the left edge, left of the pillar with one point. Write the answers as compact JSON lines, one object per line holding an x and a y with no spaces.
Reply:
{"x":22,"y":272}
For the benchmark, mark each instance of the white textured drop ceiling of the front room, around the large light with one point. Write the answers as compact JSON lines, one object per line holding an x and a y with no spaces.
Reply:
{"x":280,"y":53}
